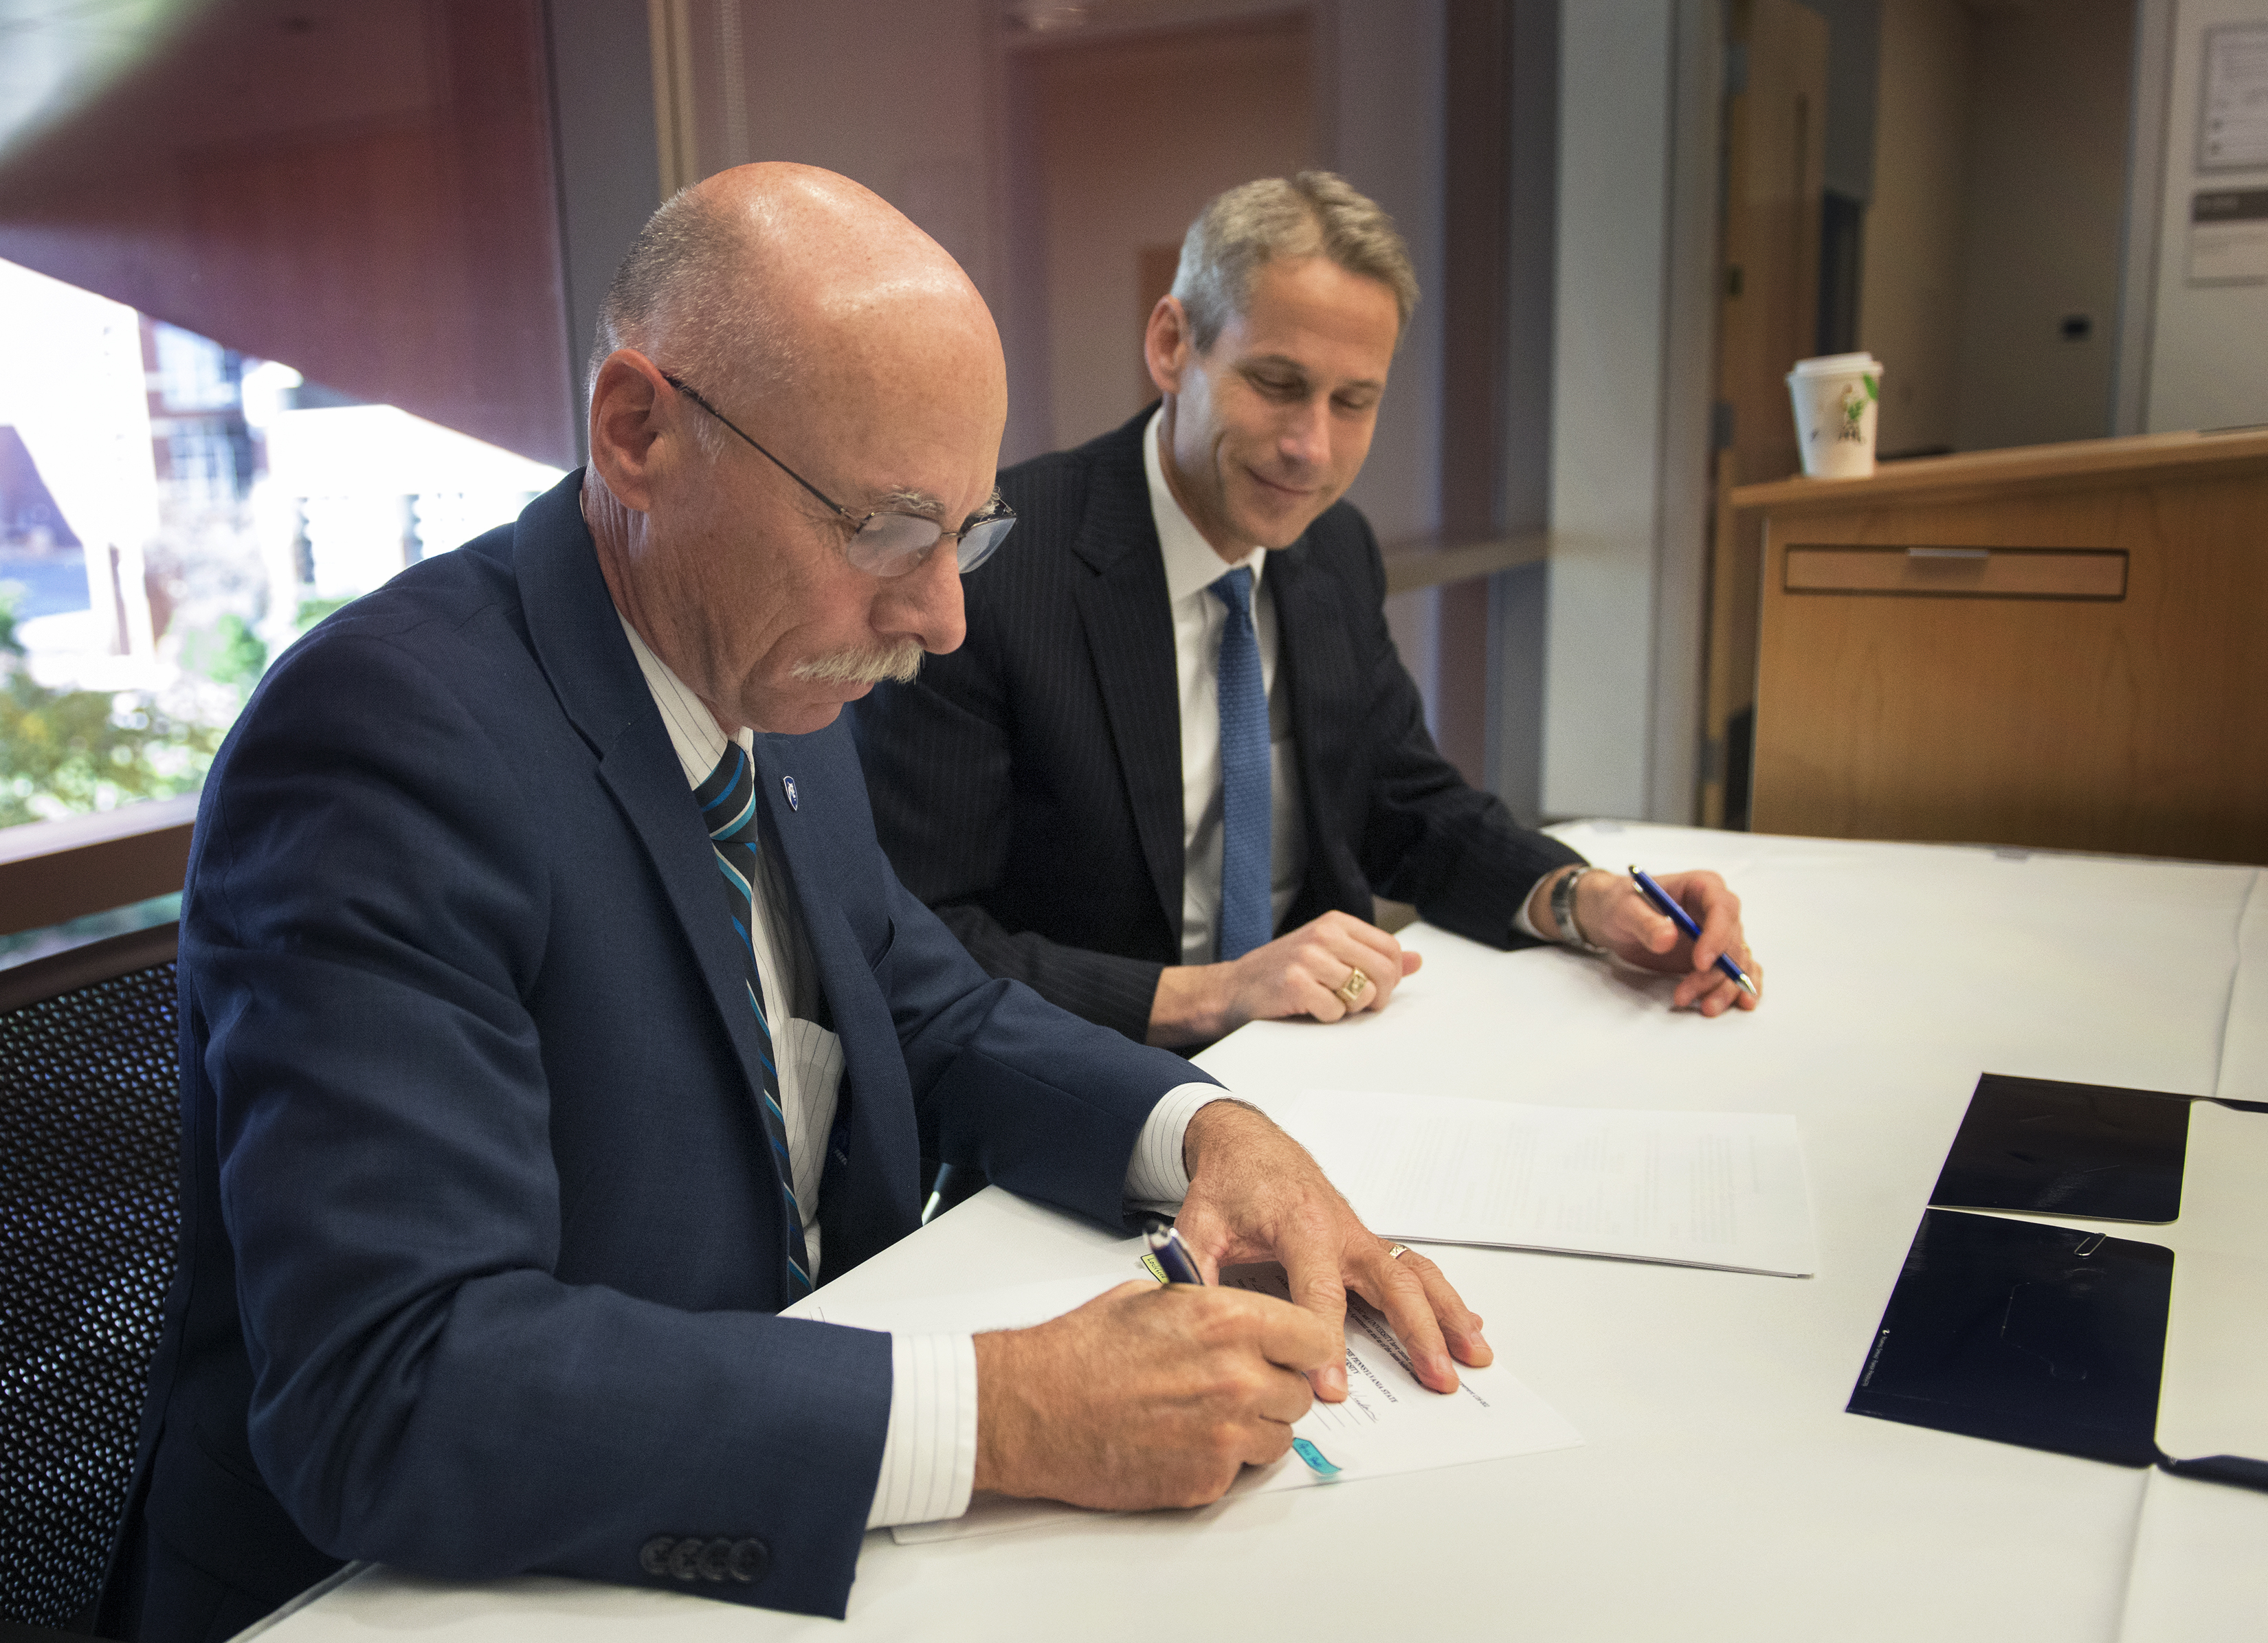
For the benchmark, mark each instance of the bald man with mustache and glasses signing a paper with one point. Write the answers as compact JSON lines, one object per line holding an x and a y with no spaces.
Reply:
{"x":552,"y":1021}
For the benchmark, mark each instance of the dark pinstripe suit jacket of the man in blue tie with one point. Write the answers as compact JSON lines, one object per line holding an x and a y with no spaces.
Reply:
{"x":1029,"y":788}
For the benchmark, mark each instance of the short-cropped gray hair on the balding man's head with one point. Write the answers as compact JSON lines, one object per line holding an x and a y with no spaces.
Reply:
{"x":686,"y":287}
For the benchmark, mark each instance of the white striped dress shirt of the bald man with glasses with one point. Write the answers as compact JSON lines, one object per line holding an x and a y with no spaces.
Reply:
{"x":931,"y":1447}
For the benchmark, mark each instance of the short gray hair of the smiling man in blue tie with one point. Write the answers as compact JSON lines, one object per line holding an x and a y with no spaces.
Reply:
{"x":1314,"y":214}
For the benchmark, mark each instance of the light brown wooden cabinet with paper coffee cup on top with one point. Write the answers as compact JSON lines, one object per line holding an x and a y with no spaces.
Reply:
{"x":2060,"y":647}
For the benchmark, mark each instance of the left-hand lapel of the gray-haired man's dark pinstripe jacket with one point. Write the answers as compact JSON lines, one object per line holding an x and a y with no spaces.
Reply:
{"x":1128,"y":622}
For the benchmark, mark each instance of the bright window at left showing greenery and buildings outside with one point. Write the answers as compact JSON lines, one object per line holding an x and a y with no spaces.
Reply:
{"x":174,"y":516}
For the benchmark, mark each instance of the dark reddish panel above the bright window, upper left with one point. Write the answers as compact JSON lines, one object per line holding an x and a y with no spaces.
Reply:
{"x":400,"y":250}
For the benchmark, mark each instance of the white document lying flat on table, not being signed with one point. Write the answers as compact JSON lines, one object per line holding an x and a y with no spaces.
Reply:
{"x":1686,"y":1189}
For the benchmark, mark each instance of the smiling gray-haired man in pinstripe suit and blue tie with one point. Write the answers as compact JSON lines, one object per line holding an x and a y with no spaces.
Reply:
{"x":1178,"y":756}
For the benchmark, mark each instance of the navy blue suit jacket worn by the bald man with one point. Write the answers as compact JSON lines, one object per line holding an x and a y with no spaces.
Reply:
{"x":482,"y":1232}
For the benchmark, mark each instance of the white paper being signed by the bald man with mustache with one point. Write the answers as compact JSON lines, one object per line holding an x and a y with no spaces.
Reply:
{"x":1389,"y":1424}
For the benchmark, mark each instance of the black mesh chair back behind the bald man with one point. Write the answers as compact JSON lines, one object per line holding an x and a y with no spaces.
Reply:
{"x":90,"y":1182}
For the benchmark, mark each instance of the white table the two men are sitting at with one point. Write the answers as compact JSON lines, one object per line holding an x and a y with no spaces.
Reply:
{"x":1723,"y":1490}
